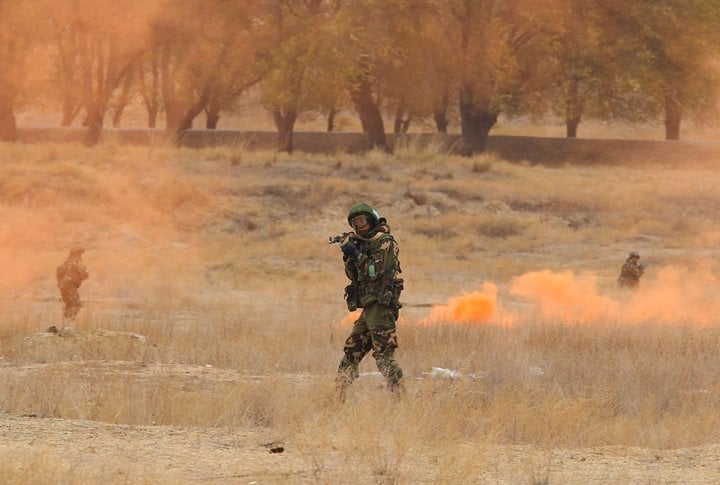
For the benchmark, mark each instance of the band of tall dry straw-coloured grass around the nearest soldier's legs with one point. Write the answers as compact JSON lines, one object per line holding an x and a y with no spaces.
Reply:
{"x":649,"y":385}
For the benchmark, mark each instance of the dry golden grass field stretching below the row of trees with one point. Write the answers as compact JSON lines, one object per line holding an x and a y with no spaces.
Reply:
{"x":215,"y":303}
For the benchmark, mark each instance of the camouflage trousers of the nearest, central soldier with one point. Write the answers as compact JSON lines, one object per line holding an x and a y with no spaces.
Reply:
{"x":375,"y":330}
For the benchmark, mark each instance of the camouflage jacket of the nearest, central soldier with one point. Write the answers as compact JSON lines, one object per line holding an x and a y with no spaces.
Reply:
{"x":374,"y":271}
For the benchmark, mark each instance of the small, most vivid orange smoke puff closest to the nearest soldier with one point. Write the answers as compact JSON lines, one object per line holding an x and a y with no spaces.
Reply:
{"x":477,"y":308}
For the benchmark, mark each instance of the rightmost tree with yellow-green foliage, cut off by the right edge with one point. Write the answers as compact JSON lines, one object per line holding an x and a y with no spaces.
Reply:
{"x":673,"y":44}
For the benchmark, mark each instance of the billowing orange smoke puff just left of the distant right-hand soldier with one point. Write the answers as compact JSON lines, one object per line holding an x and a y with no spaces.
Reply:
{"x":563,"y":295}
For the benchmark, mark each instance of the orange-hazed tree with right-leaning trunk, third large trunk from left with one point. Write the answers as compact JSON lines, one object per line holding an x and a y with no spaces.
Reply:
{"x":204,"y":48}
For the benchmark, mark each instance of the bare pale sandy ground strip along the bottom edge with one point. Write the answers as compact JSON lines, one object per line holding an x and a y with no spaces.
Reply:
{"x":168,"y":454}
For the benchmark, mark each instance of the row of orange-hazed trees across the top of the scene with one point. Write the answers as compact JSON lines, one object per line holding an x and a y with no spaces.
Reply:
{"x":458,"y":63}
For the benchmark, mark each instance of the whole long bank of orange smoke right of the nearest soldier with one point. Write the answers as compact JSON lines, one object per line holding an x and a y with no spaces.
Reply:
{"x":671,"y":295}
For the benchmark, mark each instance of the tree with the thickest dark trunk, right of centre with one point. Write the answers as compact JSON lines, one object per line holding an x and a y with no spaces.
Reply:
{"x":500,"y":48}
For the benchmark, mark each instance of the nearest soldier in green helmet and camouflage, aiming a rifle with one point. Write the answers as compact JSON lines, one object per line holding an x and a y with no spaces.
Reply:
{"x":371,"y":262}
